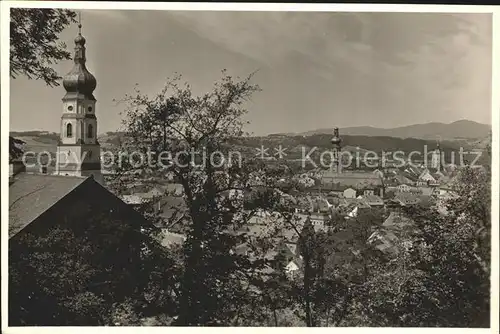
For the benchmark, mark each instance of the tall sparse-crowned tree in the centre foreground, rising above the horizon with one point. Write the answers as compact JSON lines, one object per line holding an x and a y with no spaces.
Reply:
{"x":190,"y":136}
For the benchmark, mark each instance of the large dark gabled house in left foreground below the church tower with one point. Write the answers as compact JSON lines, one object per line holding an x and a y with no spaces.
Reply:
{"x":67,"y":218}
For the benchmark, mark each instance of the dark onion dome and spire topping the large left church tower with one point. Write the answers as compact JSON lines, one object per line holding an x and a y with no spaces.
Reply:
{"x":79,"y":82}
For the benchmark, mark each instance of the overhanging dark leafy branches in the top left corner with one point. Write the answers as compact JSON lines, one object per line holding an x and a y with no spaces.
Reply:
{"x":34,"y":45}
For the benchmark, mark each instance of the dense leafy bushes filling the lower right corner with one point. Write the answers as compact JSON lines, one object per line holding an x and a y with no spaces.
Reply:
{"x":435,"y":274}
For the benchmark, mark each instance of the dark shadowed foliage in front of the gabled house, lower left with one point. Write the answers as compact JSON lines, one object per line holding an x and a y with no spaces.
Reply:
{"x":74,"y":271}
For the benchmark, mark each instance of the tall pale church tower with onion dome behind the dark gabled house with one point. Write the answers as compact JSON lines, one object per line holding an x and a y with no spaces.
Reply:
{"x":78,"y":151}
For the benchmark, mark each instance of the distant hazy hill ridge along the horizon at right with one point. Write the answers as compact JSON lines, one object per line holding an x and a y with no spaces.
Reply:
{"x":463,"y":129}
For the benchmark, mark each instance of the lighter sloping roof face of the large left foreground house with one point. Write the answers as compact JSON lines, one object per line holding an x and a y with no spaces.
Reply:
{"x":30,"y":195}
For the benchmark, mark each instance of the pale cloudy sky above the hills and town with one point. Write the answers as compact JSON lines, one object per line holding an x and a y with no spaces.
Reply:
{"x":316,"y":70}
